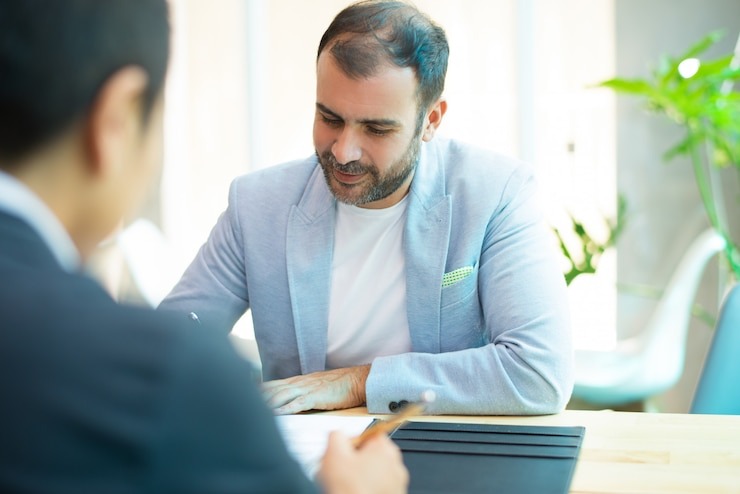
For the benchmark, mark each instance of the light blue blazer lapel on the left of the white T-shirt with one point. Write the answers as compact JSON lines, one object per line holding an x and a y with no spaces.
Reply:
{"x":310,"y":243}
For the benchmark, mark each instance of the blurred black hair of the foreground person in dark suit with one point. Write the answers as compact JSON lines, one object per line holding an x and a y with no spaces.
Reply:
{"x":55,"y":55}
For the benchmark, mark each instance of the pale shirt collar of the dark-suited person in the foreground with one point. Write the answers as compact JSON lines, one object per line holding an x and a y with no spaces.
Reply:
{"x":18,"y":200}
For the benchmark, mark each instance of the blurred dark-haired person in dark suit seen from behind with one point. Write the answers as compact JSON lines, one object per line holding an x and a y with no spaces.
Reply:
{"x":98,"y":397}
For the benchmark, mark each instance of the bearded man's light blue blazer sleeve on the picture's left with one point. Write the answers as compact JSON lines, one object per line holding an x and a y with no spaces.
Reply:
{"x":214,"y":285}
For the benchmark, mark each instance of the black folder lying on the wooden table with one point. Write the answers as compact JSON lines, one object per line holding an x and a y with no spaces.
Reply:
{"x":479,"y":458}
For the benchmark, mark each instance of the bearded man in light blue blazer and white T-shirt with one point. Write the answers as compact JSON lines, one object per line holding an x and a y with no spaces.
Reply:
{"x":391,"y":262}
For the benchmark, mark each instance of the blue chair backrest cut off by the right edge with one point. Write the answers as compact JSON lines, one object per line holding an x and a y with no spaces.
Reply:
{"x":718,"y":391}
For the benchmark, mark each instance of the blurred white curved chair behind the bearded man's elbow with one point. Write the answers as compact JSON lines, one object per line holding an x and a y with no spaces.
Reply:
{"x":651,"y":362}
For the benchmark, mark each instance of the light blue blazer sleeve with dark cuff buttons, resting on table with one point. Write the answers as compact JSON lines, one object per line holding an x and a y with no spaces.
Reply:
{"x":524,"y":364}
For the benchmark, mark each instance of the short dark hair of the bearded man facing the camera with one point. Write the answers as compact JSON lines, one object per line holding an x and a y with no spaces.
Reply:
{"x":368,"y":33}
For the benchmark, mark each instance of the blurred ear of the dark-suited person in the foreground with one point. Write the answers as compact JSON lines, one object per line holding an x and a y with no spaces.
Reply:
{"x":114,"y":118}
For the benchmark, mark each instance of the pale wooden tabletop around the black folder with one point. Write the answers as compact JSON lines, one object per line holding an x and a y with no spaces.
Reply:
{"x":634,"y":452}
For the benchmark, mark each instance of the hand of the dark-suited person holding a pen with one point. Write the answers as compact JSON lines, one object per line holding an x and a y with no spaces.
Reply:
{"x":375,"y":468}
